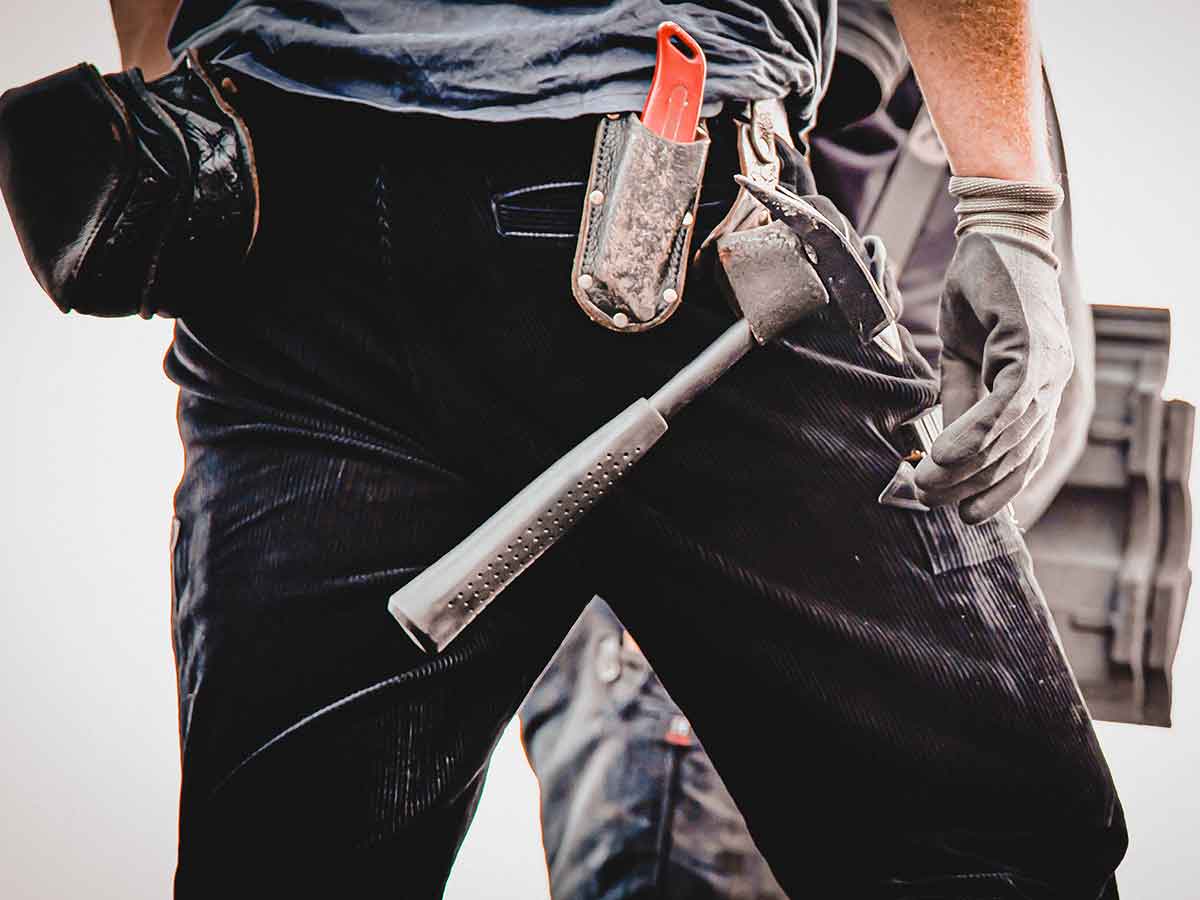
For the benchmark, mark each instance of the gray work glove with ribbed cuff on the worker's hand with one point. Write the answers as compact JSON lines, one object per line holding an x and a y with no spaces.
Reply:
{"x":1006,"y":355}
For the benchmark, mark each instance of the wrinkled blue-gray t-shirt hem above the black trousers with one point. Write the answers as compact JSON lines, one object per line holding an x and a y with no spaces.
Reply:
{"x":502,"y":62}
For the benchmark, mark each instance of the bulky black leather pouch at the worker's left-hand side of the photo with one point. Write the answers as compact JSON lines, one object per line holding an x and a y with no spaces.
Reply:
{"x":128,"y":197}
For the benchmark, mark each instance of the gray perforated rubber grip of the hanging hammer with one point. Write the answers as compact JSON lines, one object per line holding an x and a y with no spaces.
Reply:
{"x":440,"y":603}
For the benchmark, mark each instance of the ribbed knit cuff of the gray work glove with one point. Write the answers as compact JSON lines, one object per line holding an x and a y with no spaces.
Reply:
{"x":995,"y":205}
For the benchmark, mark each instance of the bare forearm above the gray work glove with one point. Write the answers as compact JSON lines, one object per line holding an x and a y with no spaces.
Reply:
{"x":980,"y":68}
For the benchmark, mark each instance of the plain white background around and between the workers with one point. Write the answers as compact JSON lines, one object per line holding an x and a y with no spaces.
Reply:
{"x":89,"y":458}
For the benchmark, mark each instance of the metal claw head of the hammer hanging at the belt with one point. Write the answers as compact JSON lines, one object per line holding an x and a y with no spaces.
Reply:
{"x":782,"y":273}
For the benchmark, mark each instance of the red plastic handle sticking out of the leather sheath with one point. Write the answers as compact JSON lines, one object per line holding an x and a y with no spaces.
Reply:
{"x":677,"y":92}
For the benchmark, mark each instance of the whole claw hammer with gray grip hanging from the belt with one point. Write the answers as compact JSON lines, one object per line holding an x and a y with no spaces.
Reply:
{"x":776,"y":275}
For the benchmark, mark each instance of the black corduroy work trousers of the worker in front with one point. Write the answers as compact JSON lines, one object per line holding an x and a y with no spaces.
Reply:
{"x":883,"y":691}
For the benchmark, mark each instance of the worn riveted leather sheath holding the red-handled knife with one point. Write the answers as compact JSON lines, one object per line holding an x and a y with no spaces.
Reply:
{"x":632,"y":256}
